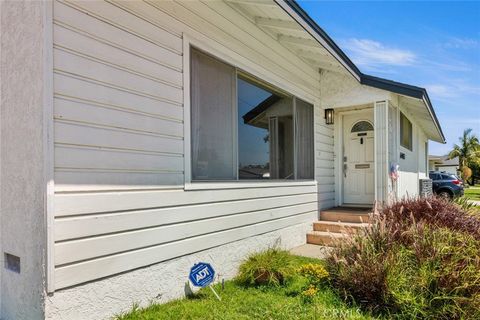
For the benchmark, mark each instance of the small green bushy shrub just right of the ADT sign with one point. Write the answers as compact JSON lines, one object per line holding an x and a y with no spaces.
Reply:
{"x":270,"y":268}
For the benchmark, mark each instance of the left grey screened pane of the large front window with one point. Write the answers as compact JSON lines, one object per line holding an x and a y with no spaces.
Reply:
{"x":213,"y":94}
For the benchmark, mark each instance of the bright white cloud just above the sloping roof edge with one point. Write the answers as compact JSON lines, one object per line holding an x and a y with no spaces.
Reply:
{"x":371,"y":54}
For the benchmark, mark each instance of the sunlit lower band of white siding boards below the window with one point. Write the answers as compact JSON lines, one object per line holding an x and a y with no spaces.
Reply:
{"x":104,"y":233}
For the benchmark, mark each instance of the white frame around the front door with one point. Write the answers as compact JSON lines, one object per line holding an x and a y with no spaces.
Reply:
{"x":339,"y":131}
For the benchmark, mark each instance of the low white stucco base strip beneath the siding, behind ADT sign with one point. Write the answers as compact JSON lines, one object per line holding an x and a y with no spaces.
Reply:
{"x":161,"y":282}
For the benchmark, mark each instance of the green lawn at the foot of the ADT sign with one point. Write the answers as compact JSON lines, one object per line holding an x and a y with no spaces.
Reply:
{"x":240,"y":302}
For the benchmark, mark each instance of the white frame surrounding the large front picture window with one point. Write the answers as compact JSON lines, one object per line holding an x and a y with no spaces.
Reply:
{"x":249,"y":72}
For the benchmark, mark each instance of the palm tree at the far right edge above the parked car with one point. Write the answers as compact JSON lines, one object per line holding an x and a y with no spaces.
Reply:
{"x":468,"y":152}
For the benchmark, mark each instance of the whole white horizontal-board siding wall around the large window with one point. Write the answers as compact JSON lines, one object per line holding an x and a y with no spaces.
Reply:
{"x":119,"y":137}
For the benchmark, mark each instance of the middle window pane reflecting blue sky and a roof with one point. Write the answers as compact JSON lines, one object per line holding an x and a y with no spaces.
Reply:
{"x":265,"y":133}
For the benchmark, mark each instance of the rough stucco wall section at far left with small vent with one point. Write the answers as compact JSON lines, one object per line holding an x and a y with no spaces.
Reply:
{"x":22,"y":192}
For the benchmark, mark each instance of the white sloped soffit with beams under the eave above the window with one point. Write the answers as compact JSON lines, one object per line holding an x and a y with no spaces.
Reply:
{"x":271,"y":18}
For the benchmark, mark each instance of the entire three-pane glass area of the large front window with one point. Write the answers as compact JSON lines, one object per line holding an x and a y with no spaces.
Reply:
{"x":243,"y":129}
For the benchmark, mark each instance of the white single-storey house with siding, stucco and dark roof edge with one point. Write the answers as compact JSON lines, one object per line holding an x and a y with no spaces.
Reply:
{"x":127,"y":129}
